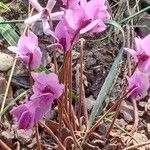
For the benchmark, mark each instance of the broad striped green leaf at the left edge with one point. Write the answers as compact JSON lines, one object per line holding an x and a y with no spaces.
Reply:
{"x":8,"y":33}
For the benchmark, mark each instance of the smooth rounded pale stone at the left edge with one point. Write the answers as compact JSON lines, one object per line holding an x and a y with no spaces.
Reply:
{"x":6,"y":62}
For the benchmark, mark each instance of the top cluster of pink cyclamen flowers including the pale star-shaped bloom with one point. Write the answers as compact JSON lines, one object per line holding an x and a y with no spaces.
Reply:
{"x":79,"y":17}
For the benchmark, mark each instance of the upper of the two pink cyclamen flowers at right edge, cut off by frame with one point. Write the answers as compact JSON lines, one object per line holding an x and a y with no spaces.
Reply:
{"x":142,"y":53}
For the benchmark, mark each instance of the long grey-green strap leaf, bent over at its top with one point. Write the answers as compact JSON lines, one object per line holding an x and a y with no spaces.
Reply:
{"x":108,"y":81}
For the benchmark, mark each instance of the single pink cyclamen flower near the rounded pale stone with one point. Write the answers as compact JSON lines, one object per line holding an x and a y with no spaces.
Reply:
{"x":28,"y":50}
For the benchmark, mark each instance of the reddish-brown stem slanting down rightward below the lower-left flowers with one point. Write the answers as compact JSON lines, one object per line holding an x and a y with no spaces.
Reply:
{"x":53,"y":135}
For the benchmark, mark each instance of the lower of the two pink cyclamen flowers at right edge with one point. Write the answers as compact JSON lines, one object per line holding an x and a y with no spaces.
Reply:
{"x":138,"y":85}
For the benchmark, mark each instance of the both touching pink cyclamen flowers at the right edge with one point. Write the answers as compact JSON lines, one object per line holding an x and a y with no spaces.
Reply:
{"x":139,"y":81}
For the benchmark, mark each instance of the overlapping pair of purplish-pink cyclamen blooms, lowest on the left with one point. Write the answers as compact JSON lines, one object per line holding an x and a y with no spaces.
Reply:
{"x":46,"y":89}
